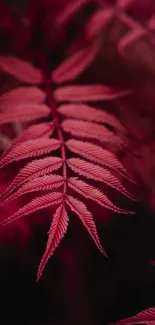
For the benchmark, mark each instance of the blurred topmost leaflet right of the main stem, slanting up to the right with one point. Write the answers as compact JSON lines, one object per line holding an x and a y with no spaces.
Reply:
{"x":72,"y":67}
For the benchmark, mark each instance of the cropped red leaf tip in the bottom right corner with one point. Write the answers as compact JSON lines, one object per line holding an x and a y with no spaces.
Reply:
{"x":143,"y":317}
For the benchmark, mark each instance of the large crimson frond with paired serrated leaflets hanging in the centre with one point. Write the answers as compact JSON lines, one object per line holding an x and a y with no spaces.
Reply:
{"x":76,"y":119}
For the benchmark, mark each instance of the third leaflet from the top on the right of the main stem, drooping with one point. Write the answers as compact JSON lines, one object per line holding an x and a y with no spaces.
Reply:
{"x":87,"y":113}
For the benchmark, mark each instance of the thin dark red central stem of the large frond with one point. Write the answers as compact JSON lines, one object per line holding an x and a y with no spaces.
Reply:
{"x":52,"y":104}
